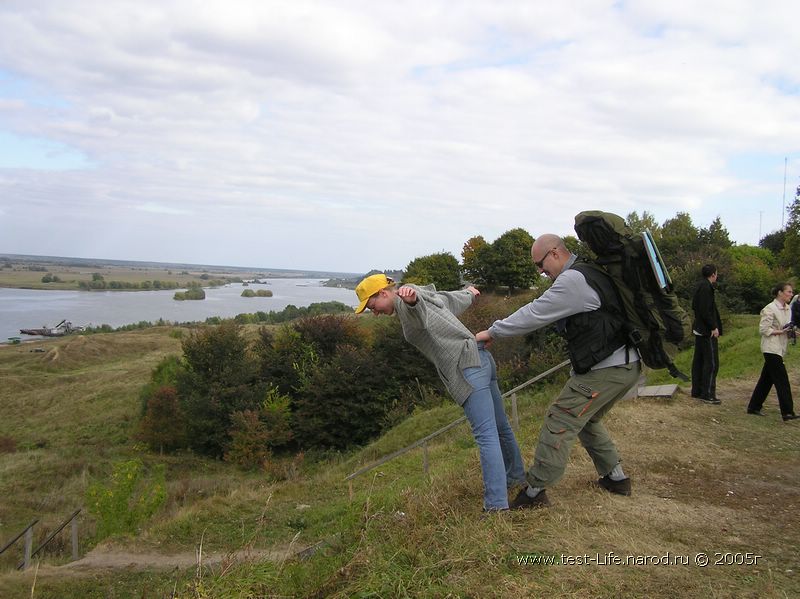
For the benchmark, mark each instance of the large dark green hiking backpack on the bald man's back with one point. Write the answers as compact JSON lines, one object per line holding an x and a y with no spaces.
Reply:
{"x":643,"y":285}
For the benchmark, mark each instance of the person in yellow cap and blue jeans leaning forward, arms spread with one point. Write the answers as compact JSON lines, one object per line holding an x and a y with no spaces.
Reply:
{"x":468,"y":371}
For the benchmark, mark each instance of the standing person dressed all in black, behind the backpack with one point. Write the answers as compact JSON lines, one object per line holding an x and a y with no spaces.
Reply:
{"x":707,"y":327}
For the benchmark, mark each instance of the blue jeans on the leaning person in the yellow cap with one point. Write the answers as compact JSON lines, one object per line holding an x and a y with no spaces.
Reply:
{"x":501,"y":462}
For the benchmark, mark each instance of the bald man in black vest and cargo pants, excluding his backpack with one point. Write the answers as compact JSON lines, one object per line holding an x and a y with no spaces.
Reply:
{"x":584,"y":306}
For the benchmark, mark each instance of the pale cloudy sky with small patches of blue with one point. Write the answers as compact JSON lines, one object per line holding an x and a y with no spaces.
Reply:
{"x":356,"y":135}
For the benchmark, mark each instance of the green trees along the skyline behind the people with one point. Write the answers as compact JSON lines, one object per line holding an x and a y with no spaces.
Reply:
{"x":746,"y":272}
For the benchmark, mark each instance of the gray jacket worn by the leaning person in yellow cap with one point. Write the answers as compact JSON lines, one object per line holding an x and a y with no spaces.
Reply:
{"x":431,"y":326}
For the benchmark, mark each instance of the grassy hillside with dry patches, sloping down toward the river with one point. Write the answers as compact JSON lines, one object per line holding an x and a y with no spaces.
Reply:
{"x":707,"y":479}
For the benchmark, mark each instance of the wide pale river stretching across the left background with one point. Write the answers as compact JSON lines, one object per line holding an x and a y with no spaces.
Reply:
{"x":27,"y":308}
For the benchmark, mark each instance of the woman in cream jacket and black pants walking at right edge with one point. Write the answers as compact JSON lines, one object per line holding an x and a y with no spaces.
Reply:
{"x":774,"y":341}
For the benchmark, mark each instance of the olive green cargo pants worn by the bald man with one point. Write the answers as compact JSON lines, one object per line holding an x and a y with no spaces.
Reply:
{"x":577,"y":412}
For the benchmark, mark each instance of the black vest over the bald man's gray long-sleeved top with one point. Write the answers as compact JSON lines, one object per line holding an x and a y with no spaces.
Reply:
{"x":593,"y":336}
